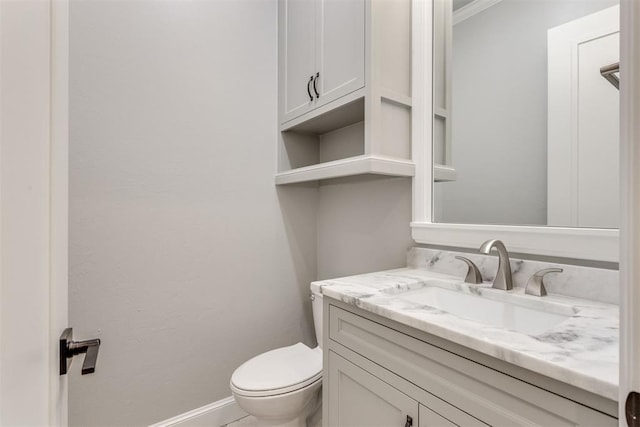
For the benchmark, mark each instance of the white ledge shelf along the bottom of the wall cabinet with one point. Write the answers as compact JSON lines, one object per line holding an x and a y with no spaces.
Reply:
{"x":367,"y":164}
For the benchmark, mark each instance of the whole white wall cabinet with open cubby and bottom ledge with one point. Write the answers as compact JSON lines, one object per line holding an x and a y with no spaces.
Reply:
{"x":344,"y":89}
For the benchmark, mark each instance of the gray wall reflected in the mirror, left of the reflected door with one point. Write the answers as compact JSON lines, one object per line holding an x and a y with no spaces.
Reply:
{"x":500,"y":112}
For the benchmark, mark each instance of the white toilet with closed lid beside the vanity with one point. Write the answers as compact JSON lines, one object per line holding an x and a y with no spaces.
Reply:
{"x":282,"y":387}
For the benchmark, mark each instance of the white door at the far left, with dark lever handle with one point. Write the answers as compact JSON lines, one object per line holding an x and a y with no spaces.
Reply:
{"x":33,"y":210}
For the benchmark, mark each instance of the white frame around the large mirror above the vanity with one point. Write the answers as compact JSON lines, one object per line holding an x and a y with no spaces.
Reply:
{"x":598,"y":244}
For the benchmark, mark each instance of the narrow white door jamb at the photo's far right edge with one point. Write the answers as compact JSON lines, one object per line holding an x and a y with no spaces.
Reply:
{"x":630,"y":207}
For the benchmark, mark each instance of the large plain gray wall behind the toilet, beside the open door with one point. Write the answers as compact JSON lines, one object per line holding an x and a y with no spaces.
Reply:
{"x":185,"y":259}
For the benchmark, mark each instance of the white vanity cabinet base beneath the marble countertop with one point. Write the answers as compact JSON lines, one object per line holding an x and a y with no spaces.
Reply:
{"x":378,"y":372}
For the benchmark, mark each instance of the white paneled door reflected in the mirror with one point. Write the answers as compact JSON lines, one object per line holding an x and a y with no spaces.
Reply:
{"x":583,"y":123}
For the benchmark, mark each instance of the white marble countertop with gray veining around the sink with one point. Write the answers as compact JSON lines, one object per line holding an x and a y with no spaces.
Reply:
{"x":581,"y":350}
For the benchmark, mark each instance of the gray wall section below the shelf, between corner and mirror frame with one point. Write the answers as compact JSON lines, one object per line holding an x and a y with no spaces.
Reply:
{"x":363,"y":225}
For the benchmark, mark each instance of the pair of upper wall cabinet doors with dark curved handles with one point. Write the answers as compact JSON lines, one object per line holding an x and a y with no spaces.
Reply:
{"x":322,"y":52}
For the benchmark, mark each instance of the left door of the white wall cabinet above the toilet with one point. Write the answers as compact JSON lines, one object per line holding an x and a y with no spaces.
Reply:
{"x":297,"y":21}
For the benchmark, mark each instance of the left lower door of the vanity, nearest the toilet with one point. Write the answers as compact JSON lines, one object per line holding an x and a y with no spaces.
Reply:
{"x":359,"y":399}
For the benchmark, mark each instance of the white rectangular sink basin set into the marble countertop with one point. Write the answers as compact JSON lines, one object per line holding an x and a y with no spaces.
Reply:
{"x":518,"y":313}
